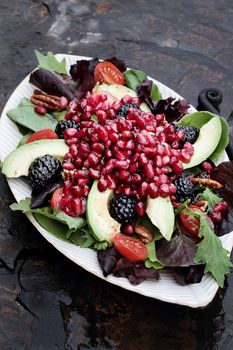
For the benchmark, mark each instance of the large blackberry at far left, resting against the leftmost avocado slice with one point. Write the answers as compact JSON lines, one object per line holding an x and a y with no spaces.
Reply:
{"x":43,"y":171}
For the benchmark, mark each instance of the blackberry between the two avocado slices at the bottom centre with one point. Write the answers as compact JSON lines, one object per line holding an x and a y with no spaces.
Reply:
{"x":122,"y":208}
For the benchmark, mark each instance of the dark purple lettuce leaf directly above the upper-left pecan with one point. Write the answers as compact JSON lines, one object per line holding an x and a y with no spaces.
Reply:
{"x":52,"y":83}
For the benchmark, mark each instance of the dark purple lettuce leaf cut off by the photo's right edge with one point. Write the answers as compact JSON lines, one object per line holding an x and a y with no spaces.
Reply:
{"x":223,"y":174}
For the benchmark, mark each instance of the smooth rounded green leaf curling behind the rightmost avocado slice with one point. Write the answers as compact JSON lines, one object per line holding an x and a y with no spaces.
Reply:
{"x":198,"y":119}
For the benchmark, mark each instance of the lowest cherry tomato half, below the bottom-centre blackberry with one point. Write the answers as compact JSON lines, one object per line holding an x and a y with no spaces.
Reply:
{"x":131,"y":248}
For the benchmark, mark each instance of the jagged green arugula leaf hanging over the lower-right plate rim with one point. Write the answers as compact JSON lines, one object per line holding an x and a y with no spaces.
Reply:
{"x":211,"y":252}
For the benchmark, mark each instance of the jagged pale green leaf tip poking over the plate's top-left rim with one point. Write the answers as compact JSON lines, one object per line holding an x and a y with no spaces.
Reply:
{"x":50,"y":62}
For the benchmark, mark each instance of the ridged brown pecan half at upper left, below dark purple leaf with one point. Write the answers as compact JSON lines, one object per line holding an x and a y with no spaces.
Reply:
{"x":49,"y":102}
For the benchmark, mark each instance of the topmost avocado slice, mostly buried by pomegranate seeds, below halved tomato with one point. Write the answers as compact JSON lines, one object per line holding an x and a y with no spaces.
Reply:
{"x":118,"y":92}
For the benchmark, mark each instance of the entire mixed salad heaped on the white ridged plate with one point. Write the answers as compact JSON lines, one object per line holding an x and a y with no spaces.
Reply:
{"x":113,"y":165}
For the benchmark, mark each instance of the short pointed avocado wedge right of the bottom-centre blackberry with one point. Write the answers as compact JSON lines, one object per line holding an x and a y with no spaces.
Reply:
{"x":160,"y":211}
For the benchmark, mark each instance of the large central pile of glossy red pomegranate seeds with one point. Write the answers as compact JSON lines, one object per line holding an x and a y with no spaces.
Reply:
{"x":135,"y":155}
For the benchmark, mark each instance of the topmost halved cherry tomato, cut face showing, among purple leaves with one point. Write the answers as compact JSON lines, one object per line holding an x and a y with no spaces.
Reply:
{"x":106,"y":72}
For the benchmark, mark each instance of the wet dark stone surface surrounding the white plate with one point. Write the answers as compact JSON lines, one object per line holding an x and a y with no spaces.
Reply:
{"x":46,"y":301}
